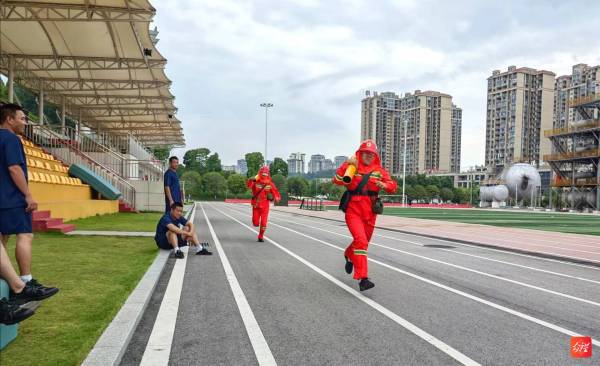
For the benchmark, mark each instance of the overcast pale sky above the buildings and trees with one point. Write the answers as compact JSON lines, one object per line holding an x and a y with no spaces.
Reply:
{"x":314,"y":60}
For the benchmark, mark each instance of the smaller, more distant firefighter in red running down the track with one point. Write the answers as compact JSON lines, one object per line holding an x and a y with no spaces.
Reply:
{"x":263,"y":191}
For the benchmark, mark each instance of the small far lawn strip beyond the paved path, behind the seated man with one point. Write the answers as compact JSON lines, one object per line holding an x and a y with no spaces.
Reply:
{"x":123,"y":221}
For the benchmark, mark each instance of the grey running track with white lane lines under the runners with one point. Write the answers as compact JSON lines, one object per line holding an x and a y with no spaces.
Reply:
{"x":288,"y":301}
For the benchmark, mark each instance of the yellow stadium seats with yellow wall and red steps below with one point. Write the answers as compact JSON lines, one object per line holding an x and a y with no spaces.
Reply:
{"x":58,"y":194}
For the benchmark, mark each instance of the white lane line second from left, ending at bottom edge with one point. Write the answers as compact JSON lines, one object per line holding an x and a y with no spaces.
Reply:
{"x":257,"y":339}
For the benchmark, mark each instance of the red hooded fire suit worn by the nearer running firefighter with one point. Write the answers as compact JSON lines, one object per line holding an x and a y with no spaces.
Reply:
{"x":359,"y":214}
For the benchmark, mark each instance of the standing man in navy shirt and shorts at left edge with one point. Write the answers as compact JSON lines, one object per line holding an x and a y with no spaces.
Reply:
{"x":16,"y":202}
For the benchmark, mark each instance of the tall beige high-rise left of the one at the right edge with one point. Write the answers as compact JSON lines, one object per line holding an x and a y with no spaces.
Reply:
{"x":519,"y":109}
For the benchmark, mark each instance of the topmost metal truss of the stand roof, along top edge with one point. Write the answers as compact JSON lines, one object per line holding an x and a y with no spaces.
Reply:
{"x":38,"y":11}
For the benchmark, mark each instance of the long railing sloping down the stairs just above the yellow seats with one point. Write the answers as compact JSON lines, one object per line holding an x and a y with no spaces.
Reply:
{"x":71,"y":151}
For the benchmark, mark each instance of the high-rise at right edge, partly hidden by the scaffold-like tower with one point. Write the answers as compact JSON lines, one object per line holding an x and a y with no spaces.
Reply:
{"x":584,"y":81}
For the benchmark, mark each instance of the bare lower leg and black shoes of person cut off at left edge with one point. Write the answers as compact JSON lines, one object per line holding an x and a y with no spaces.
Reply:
{"x":21,"y":293}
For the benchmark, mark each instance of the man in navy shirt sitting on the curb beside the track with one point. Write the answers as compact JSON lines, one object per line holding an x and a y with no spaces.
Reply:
{"x":170,"y":236}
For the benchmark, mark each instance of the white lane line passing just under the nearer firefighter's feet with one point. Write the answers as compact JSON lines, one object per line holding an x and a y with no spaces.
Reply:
{"x":458,"y":356}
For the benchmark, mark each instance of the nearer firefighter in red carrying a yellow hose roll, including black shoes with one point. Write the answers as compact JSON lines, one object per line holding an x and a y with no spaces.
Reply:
{"x":360,"y":216}
